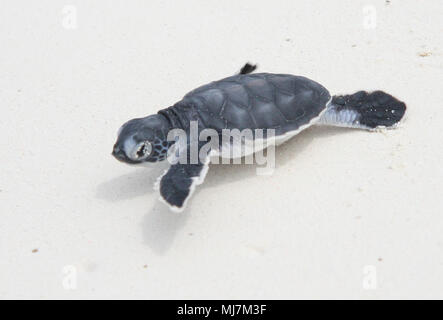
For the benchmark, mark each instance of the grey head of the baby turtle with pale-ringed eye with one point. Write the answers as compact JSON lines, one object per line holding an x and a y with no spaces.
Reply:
{"x":143,"y":140}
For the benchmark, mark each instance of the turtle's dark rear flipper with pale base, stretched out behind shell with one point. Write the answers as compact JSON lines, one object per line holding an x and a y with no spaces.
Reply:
{"x":364,"y":110}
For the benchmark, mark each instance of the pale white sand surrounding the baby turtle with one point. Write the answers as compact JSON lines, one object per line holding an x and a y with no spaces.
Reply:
{"x":346,"y":214}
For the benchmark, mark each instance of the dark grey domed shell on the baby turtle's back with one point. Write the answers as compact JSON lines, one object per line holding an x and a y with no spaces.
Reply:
{"x":259,"y":101}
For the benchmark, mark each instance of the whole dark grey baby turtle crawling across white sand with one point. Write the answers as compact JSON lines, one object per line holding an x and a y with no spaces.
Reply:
{"x":283,"y":102}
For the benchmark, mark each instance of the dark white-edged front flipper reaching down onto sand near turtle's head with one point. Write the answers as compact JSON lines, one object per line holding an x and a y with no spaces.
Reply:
{"x":178,"y":183}
